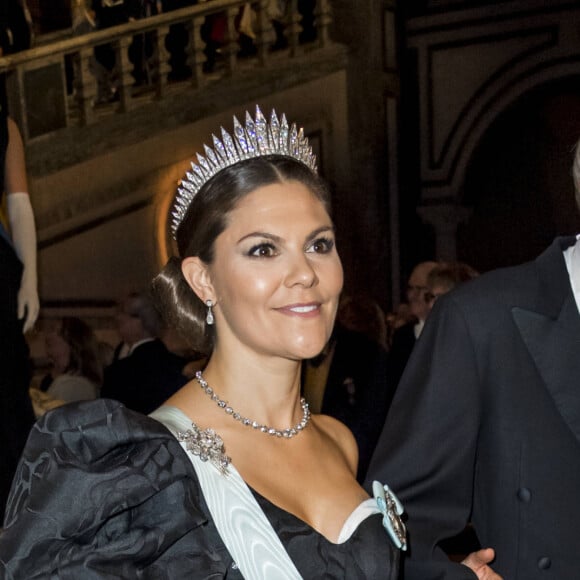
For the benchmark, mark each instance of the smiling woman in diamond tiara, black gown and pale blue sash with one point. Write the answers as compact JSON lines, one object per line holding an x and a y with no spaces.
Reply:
{"x":256,"y":486}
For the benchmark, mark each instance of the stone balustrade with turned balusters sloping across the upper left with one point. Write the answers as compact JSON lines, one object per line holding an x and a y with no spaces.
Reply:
{"x":54,"y":86}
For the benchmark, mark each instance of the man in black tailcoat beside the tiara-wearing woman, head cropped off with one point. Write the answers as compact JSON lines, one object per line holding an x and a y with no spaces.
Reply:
{"x":485,"y":424}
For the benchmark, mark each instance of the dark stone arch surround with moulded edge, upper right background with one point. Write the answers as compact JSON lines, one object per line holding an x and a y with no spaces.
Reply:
{"x":473,"y":66}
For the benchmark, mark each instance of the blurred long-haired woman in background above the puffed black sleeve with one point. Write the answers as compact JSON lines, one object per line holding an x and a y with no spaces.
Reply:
{"x":76,"y":373}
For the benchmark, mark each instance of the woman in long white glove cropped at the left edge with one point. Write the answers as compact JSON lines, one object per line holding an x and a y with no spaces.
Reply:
{"x":18,"y":283}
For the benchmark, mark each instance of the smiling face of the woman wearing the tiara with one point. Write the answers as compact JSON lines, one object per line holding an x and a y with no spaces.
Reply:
{"x":276,"y":275}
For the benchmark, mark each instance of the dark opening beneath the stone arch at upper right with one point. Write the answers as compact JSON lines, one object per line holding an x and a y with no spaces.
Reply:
{"x":518,"y":181}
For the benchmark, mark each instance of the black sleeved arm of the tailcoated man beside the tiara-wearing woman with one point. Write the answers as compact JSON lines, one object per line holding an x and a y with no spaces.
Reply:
{"x":426,"y":452}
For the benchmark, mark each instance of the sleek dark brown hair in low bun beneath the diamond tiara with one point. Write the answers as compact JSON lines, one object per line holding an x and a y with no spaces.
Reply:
{"x":205,"y":220}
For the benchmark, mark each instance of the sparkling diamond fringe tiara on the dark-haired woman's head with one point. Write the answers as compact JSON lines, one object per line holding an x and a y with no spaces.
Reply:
{"x":256,"y":139}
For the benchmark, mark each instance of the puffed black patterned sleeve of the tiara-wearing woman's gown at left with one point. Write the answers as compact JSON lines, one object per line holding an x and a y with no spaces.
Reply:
{"x":104,"y":492}
